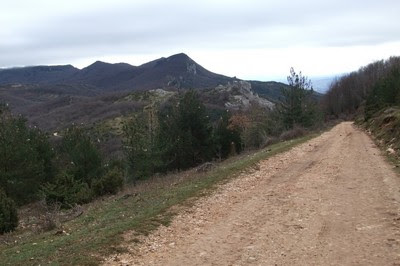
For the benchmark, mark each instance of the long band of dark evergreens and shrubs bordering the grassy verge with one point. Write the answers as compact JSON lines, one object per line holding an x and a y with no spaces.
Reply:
{"x":68,"y":169}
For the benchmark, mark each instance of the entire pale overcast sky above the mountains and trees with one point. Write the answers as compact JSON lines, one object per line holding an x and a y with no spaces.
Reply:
{"x":250,"y":39}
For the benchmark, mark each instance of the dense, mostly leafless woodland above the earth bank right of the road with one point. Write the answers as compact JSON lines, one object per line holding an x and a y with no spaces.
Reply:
{"x":371,"y":88}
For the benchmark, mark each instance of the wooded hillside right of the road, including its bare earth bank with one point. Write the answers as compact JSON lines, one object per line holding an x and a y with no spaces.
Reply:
{"x":371,"y":96}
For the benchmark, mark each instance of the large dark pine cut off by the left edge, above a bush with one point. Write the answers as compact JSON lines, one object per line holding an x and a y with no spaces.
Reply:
{"x":25,"y":158}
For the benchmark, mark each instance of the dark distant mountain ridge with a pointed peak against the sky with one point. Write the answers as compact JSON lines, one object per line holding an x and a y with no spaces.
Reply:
{"x":177,"y":71}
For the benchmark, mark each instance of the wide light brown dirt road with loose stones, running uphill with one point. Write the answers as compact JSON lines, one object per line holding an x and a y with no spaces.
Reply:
{"x":330,"y":201}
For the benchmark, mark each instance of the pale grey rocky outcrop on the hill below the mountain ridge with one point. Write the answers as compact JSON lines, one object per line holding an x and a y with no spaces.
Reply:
{"x":241,"y":96}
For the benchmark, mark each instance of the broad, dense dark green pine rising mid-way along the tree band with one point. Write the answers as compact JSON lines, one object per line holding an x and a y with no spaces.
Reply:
{"x":185,"y":134}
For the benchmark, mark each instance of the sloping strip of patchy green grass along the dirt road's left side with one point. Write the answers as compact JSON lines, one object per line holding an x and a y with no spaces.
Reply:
{"x":99,"y":230}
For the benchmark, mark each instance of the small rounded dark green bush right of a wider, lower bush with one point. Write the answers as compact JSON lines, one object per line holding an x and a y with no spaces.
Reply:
{"x":110,"y":183}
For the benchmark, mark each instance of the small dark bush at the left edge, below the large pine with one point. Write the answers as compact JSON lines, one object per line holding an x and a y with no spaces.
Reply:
{"x":8,"y":214}
